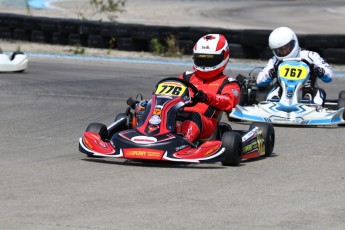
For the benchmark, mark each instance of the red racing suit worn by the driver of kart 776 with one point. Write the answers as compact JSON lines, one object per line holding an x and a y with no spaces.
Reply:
{"x":223,"y":94}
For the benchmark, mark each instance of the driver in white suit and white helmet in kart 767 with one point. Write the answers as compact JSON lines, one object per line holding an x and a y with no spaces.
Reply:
{"x":284,"y":44}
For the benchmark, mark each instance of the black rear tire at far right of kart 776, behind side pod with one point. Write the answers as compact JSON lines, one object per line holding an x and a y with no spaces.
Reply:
{"x":268,"y":134}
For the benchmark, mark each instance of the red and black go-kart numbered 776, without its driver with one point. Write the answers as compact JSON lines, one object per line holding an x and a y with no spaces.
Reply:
{"x":153,"y":136}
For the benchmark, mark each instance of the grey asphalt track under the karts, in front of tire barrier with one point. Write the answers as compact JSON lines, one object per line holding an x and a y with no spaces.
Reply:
{"x":46,"y":183}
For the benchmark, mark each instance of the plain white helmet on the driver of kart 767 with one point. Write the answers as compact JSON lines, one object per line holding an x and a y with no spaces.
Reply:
{"x":284,"y":43}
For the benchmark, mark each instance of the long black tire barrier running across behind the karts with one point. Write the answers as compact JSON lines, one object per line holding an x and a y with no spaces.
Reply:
{"x":251,"y":44}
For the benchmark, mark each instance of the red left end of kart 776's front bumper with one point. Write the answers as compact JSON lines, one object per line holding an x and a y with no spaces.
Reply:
{"x":94,"y":142}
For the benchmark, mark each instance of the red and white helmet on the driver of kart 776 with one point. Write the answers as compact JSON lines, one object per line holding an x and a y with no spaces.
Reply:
{"x":210,"y":55}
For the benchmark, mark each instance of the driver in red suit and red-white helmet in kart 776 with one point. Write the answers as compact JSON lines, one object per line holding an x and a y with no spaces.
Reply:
{"x":217,"y":92}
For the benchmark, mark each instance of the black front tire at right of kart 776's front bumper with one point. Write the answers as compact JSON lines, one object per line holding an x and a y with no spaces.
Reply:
{"x":232,"y":142}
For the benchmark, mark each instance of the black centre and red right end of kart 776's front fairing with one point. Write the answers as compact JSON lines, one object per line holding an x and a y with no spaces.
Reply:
{"x":131,"y":144}
